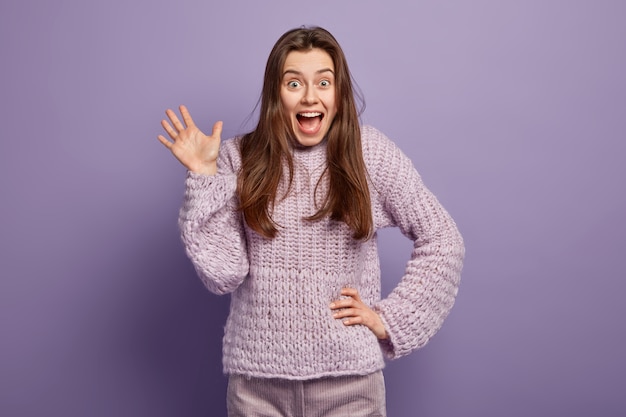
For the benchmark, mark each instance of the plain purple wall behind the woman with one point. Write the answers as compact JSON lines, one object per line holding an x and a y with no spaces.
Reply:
{"x":514,"y":112}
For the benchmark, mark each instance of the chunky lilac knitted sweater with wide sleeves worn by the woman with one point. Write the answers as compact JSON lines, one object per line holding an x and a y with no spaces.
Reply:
{"x":280,"y":323}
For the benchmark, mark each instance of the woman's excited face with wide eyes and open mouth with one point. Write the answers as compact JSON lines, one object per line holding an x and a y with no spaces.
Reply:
{"x":307,"y":94}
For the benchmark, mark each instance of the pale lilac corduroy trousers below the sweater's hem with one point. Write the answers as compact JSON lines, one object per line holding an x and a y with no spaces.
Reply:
{"x":344,"y":396}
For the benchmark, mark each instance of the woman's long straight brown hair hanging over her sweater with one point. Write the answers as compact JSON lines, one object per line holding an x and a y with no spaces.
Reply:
{"x":264,"y":150}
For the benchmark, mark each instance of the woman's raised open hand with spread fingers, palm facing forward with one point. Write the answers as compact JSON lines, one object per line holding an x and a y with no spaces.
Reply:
{"x":195,"y":150}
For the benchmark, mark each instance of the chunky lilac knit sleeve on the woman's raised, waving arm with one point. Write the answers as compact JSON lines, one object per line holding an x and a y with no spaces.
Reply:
{"x":212,"y":228}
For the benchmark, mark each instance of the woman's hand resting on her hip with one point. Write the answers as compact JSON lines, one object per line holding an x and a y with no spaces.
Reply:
{"x":354,"y":311}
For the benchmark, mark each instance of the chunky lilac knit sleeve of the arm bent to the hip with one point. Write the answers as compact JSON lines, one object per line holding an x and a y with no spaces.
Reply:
{"x":416,"y":308}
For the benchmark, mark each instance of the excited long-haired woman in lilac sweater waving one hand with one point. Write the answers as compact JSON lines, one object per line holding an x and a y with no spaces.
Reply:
{"x":285,"y":219}
